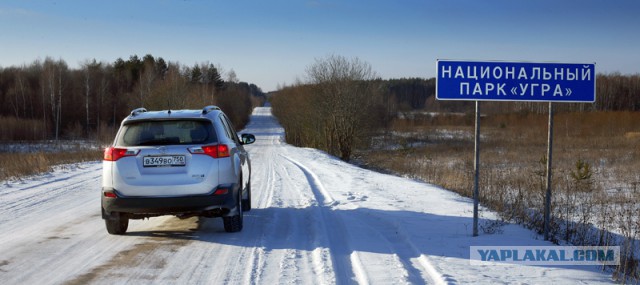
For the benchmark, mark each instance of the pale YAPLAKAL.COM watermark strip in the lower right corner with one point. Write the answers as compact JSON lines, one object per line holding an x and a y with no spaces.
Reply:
{"x":546,"y":255}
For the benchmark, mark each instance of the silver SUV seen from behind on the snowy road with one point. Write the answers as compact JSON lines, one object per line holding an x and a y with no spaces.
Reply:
{"x":176,"y":162}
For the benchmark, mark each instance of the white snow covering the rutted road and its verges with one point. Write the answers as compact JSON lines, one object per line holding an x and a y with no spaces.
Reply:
{"x":315,"y":220}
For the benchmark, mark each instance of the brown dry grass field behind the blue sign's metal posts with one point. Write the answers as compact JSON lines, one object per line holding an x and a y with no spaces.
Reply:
{"x":599,"y":210}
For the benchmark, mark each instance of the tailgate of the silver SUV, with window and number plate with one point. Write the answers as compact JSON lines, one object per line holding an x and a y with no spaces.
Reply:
{"x":164,"y":164}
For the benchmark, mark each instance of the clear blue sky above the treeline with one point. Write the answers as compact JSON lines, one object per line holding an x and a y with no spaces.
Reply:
{"x":272,"y":42}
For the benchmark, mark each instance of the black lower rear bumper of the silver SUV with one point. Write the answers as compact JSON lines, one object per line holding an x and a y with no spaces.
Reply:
{"x":141,"y":207}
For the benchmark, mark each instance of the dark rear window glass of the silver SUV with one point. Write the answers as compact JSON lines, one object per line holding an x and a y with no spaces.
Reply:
{"x":167,"y":132}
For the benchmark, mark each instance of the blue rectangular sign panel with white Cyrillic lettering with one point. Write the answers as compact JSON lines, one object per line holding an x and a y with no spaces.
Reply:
{"x":515,"y":81}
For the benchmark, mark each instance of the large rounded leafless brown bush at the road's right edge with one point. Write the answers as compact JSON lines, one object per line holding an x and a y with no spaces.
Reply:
{"x":336,"y":110}
